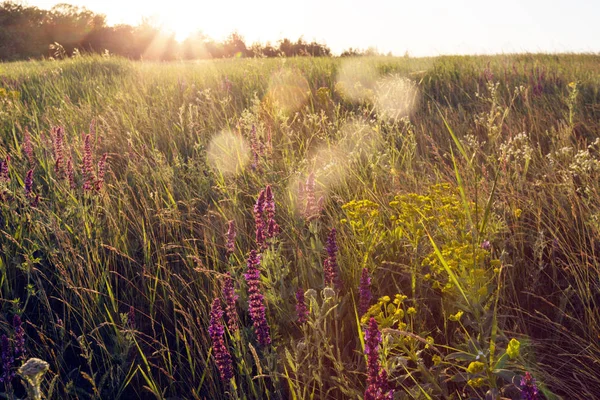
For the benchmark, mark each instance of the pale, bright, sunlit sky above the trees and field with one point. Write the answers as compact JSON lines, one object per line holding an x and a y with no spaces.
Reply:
{"x":419,"y":27}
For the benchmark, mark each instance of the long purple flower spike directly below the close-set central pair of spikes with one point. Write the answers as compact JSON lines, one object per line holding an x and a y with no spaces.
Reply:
{"x":256,"y":300}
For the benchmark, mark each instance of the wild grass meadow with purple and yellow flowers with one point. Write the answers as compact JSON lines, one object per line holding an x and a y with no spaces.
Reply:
{"x":301,"y":228}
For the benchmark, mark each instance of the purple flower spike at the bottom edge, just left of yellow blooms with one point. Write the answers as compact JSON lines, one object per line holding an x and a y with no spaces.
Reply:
{"x":377,"y":382}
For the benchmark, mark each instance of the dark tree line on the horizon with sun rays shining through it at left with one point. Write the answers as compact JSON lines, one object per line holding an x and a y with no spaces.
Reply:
{"x":30,"y":32}
